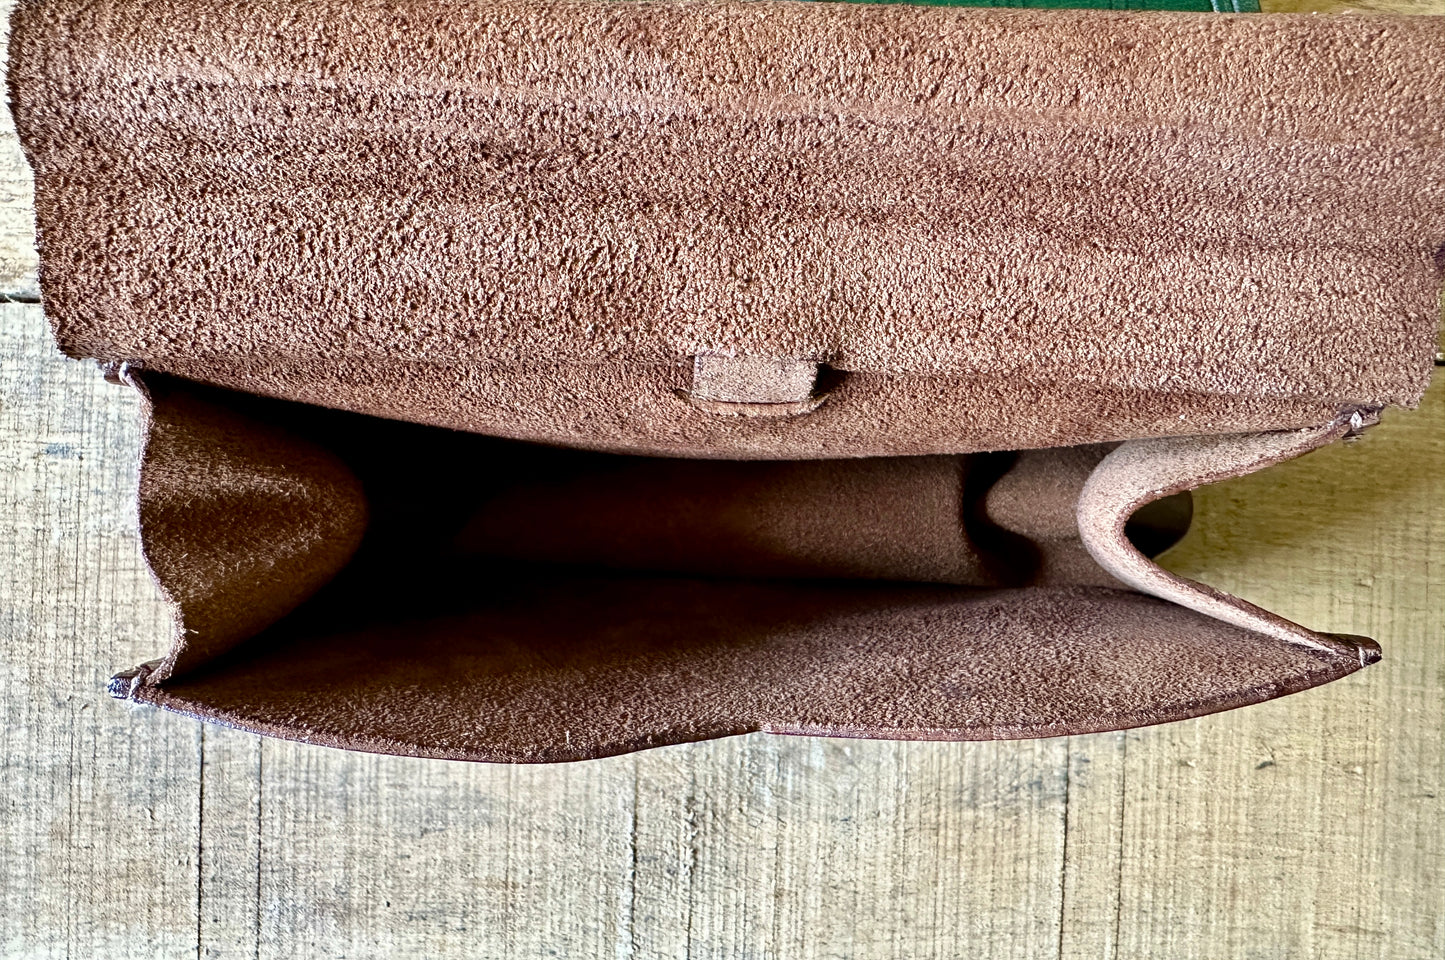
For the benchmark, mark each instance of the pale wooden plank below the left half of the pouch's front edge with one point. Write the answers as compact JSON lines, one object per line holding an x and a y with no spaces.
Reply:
{"x":378,"y":857}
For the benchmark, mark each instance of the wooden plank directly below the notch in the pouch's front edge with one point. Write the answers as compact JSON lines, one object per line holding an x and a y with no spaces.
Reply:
{"x":811,"y":848}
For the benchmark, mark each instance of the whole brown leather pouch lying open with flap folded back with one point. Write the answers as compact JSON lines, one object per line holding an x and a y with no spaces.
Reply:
{"x":545,"y":381}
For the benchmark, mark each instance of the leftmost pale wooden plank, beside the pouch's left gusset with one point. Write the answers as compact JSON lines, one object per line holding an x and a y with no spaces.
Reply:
{"x":99,"y":799}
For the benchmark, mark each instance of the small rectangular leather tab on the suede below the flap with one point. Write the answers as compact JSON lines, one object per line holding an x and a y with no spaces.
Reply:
{"x":754,"y":387}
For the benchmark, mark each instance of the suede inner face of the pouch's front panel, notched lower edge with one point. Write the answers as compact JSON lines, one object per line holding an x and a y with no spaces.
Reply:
{"x":569,"y":669}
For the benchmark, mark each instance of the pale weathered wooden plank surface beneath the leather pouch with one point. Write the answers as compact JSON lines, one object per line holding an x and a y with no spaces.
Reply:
{"x":1307,"y":828}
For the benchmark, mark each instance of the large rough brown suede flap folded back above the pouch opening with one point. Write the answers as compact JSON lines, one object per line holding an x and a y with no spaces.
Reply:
{"x":522,"y":218}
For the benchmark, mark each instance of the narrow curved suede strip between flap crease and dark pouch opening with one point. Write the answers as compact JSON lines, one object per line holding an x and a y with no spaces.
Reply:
{"x":622,"y":407}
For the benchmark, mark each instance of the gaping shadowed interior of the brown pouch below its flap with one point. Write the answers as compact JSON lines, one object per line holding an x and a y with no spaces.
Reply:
{"x":385,"y":586}
